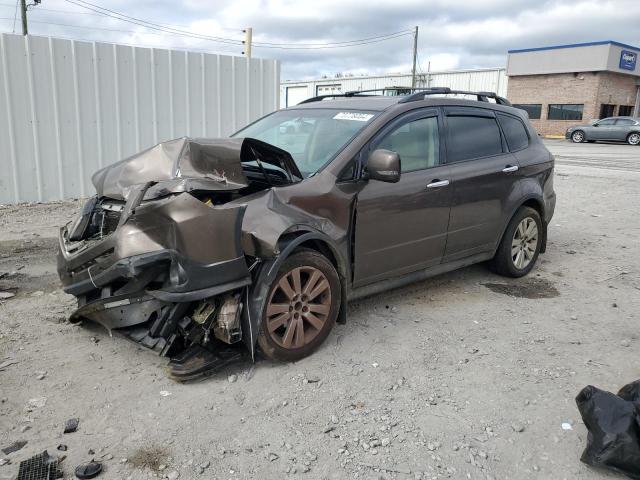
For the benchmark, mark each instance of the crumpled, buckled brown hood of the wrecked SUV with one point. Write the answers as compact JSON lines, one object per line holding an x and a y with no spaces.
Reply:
{"x":186,"y":164}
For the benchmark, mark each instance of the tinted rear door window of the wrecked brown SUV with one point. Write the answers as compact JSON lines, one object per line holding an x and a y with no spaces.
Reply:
{"x":472,"y":137}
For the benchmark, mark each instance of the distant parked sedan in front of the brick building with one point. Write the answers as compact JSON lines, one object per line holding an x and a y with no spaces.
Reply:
{"x":612,"y":129}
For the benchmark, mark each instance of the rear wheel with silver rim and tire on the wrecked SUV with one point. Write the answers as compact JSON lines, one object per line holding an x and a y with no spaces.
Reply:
{"x":520,"y":244}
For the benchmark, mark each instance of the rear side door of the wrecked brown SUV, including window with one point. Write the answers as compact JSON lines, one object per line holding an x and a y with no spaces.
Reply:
{"x":483,"y":177}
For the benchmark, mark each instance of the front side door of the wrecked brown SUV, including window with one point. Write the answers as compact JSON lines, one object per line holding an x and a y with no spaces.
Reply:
{"x":401,"y":227}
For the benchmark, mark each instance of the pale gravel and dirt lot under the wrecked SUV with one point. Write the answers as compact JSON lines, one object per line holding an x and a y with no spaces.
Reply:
{"x":467,"y":375}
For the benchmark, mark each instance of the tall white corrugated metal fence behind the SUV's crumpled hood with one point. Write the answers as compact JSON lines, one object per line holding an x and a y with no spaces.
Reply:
{"x":69,"y":107}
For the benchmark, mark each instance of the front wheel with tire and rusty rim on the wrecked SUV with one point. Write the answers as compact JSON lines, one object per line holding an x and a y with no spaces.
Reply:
{"x":302,"y":307}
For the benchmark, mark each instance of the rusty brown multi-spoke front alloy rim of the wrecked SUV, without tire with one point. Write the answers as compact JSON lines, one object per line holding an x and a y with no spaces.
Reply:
{"x":298,"y":307}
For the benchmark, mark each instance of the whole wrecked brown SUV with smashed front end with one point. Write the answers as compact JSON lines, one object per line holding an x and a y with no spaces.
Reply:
{"x":262,"y":238}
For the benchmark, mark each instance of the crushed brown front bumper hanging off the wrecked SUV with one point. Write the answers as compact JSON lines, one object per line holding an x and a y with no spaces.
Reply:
{"x":166,"y":254}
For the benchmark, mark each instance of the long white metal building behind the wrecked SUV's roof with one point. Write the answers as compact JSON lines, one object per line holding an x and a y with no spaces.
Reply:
{"x":489,"y":79}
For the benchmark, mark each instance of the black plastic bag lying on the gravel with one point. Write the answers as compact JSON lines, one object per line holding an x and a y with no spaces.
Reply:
{"x":613,"y":422}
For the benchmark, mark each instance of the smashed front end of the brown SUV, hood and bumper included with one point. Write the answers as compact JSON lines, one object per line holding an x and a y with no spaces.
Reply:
{"x":157,"y":254}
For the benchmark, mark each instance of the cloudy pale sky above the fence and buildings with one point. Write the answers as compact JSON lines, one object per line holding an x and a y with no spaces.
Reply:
{"x":453,"y":34}
